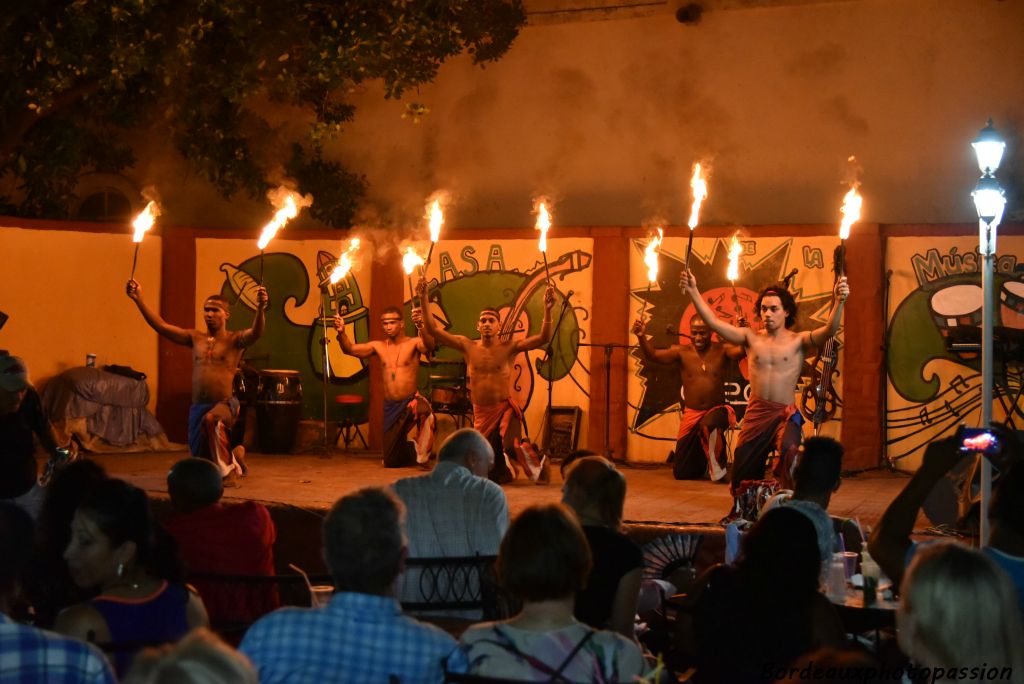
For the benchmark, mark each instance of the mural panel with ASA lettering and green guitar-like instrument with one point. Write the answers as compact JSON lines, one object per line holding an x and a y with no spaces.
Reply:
{"x":467,"y":276}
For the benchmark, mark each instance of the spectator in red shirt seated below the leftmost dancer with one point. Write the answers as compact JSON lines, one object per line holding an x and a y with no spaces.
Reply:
{"x":224,"y":539}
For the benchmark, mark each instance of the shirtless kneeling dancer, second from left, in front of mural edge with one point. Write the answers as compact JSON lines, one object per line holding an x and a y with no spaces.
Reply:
{"x":404,"y":407}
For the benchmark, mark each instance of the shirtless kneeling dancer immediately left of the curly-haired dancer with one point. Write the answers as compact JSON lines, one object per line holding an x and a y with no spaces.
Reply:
{"x":704,"y":368}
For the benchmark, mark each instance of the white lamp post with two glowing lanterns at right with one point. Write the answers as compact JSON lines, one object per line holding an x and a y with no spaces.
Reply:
{"x":990,"y":201}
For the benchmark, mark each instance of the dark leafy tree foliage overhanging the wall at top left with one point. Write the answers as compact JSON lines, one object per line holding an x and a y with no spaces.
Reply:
{"x":80,"y":75}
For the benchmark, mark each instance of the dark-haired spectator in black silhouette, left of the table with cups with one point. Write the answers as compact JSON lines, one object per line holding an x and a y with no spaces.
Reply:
{"x":766,"y":610}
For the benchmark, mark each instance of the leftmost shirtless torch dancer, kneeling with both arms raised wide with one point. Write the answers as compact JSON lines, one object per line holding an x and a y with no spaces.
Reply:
{"x":217,"y":353}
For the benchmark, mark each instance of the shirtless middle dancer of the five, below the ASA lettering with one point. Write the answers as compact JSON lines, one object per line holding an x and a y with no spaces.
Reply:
{"x":489,"y":364}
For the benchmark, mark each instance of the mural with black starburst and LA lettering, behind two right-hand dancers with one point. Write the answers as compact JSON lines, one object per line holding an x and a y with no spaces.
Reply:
{"x":655,"y":390}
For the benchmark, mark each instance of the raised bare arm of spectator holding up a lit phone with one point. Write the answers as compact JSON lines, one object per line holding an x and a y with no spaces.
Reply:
{"x":891,"y":538}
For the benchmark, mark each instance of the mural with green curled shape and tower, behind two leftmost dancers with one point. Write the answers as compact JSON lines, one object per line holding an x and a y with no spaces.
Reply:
{"x":302,"y":310}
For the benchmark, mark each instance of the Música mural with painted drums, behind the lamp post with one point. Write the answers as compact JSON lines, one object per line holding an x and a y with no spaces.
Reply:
{"x":934,"y":318}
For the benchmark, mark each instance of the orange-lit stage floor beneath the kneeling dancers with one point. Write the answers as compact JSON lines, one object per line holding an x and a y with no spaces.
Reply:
{"x":314,"y":484}
